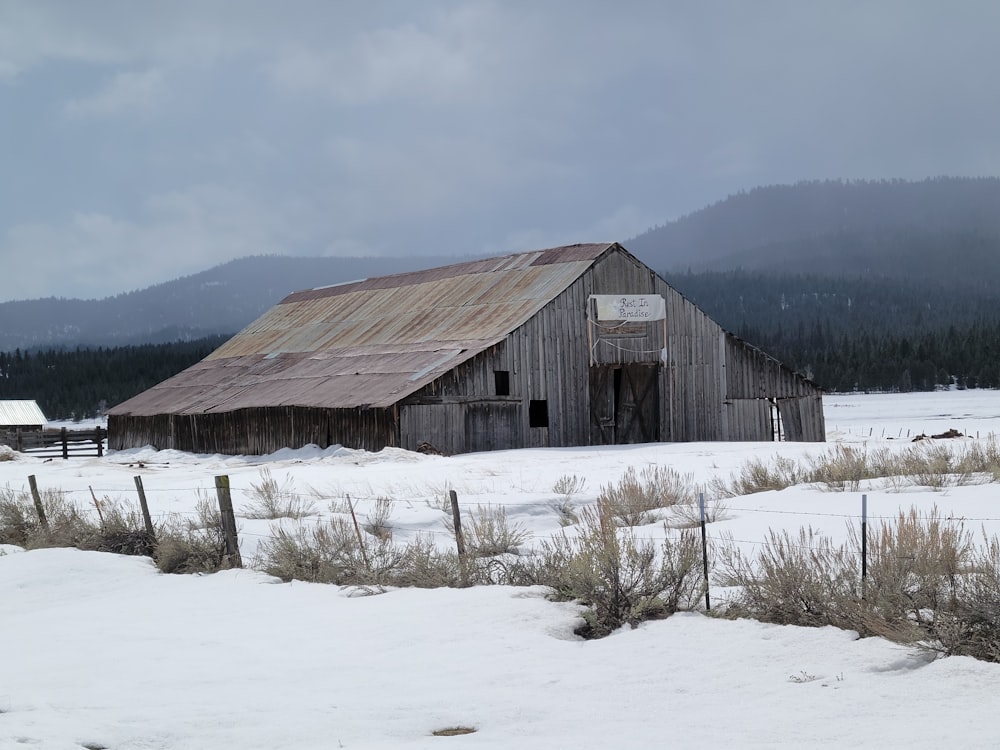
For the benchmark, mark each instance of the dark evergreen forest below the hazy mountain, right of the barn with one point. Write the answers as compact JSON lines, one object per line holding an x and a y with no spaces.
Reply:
{"x":867,"y":334}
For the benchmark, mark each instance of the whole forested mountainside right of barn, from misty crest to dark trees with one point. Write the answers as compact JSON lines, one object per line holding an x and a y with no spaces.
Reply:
{"x":885,"y":285}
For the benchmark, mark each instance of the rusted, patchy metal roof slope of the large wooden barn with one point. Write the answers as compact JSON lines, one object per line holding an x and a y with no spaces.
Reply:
{"x":371,"y":342}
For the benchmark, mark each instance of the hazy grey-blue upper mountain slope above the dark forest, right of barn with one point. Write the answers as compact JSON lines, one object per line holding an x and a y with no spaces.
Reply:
{"x":832,"y":225}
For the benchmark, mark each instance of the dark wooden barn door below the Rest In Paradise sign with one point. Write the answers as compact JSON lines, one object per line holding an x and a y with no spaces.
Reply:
{"x":624,"y":404}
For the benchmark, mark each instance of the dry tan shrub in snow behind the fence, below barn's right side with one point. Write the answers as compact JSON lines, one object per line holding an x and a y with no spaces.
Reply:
{"x":634,"y":500}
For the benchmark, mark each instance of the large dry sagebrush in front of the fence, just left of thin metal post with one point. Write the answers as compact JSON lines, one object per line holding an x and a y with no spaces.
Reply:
{"x":623,"y":580}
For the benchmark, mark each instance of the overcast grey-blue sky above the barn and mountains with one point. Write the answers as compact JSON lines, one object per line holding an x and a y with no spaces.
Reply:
{"x":141,"y":141}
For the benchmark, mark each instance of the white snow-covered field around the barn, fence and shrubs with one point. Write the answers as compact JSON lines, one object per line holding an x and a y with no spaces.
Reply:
{"x":98,"y":650}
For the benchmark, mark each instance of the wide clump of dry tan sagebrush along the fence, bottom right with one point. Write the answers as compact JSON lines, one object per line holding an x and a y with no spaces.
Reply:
{"x":927,"y":584}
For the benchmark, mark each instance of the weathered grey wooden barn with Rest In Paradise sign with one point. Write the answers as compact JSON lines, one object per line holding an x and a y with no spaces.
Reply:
{"x":577,"y":345}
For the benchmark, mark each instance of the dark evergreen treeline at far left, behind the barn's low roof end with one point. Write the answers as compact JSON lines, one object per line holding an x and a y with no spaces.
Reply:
{"x":82,"y":383}
